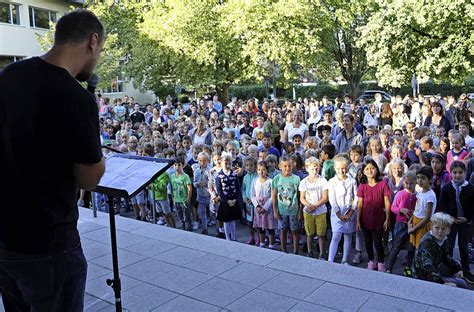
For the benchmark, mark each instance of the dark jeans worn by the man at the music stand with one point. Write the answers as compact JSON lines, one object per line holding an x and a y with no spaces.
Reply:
{"x":44,"y":283}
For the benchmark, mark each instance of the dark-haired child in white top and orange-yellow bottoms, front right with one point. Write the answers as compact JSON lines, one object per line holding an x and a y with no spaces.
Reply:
{"x":418,"y":224}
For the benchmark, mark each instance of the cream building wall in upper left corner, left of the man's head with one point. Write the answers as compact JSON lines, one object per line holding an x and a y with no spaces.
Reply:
{"x":21,"y":40}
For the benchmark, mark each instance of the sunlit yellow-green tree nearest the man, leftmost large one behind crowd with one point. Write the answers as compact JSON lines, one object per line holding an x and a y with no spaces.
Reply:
{"x":203,"y":50}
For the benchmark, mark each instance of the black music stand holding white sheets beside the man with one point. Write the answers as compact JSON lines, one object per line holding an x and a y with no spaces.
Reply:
{"x":125,"y":176}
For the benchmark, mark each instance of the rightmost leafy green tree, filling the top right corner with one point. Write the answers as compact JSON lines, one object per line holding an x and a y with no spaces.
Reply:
{"x":432,"y":38}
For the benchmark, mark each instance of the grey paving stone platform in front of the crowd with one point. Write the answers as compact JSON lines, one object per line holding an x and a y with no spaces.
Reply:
{"x":164,"y":269}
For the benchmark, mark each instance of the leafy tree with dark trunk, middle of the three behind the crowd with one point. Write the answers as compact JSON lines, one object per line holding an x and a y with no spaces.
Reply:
{"x":302,"y":36}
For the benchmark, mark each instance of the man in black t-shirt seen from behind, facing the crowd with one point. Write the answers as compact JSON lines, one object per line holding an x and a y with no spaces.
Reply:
{"x":42,"y":266}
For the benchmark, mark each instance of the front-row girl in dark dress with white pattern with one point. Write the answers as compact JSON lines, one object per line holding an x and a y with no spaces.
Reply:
{"x":229,"y":197}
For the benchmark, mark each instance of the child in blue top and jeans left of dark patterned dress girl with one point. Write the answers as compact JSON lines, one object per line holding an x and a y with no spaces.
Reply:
{"x":200,"y":183}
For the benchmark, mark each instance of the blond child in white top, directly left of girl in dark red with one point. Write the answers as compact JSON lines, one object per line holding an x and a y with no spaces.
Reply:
{"x":342,"y":191}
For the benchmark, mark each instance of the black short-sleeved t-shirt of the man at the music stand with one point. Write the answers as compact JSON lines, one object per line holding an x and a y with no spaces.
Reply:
{"x":48,"y":122}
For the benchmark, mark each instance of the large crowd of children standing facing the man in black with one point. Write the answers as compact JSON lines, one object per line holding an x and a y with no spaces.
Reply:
{"x":307,"y":170}
